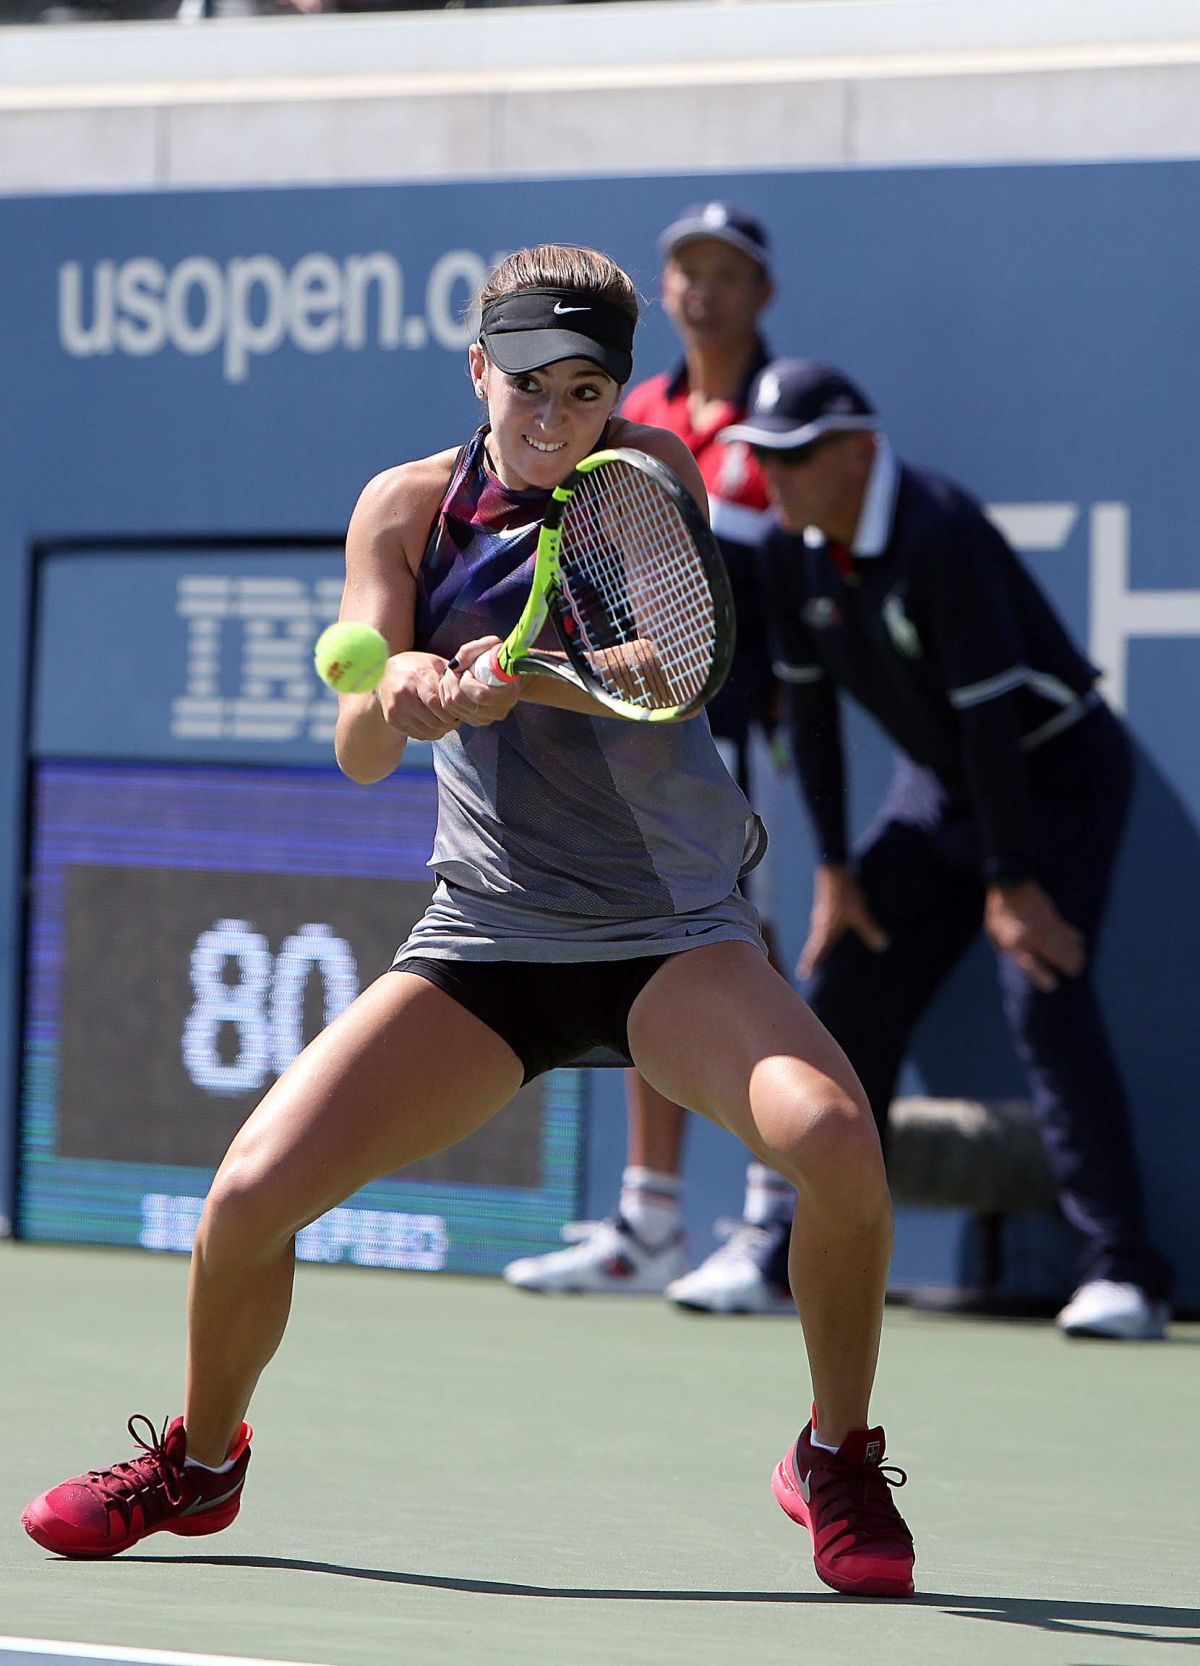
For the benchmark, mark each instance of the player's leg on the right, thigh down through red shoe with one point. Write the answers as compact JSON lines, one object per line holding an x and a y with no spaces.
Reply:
{"x":717,"y":1029}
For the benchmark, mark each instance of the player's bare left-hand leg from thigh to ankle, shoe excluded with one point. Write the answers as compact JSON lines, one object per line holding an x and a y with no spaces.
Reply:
{"x":402,"y":1074}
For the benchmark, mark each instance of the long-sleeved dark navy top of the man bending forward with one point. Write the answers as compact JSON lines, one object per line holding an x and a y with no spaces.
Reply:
{"x":944,"y":639}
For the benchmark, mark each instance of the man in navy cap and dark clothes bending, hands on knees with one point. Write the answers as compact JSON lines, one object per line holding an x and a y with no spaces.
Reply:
{"x":1006,"y":811}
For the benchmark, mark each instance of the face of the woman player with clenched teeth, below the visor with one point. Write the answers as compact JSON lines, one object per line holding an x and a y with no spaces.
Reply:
{"x":544,"y":422}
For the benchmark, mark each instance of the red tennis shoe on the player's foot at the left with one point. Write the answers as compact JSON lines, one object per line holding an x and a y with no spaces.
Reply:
{"x":107,"y":1510}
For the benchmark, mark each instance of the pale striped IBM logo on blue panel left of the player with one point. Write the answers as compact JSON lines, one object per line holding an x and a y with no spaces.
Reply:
{"x":271,"y":624}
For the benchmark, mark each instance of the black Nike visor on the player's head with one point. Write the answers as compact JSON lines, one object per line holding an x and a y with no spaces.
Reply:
{"x":539,"y":327}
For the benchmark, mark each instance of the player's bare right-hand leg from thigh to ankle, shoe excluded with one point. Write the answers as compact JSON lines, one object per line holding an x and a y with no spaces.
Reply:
{"x":719,"y":1030}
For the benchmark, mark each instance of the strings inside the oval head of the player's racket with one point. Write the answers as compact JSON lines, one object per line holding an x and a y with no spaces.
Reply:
{"x":637,"y":591}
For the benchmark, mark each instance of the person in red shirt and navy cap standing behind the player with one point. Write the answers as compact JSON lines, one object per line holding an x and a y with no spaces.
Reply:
{"x":716,"y":284}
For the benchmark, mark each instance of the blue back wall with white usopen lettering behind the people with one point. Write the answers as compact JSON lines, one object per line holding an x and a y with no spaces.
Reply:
{"x":199,"y":384}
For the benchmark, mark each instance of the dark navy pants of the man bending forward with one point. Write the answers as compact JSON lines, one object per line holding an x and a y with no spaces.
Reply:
{"x":921,"y":872}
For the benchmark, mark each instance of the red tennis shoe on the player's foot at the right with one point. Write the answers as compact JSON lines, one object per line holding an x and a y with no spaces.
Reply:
{"x":861,"y":1542}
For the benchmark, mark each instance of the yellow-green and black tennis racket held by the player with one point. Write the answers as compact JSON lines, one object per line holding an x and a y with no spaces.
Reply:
{"x":636,"y":589}
